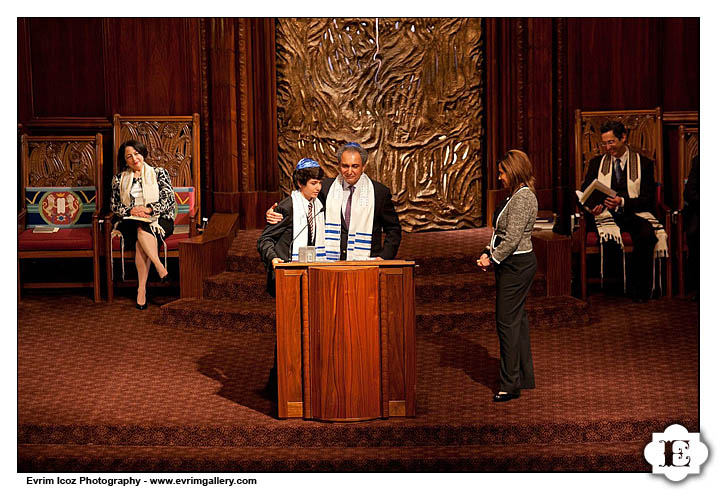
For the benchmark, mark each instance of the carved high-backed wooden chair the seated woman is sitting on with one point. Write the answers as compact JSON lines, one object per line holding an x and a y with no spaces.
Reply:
{"x":173,"y":143}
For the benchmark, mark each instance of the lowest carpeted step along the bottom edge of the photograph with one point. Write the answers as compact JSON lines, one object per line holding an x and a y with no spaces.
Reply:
{"x":587,"y":457}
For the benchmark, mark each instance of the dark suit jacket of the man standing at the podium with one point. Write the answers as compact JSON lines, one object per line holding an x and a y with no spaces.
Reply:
{"x":385,"y":219}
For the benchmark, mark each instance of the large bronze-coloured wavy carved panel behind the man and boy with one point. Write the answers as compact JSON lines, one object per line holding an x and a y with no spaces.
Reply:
{"x":409,"y":90}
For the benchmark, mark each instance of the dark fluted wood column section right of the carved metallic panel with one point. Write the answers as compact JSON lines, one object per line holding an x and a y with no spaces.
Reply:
{"x":526,"y":87}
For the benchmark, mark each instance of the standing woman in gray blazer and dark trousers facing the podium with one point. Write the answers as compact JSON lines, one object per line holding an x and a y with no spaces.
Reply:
{"x":510,"y":252}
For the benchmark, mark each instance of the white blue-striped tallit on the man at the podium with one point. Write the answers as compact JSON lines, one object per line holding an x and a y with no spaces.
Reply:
{"x":360,"y":223}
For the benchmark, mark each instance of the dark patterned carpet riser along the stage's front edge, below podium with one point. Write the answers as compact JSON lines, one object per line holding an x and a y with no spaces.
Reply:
{"x":299,"y":434}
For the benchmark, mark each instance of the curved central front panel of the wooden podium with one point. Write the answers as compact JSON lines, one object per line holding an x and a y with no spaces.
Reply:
{"x":345,"y":343}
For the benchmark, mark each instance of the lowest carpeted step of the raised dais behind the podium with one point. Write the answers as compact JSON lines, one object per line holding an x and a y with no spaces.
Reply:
{"x":544,"y":312}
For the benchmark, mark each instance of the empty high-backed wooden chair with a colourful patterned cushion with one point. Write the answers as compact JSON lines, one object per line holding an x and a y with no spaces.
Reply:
{"x":61,"y":188}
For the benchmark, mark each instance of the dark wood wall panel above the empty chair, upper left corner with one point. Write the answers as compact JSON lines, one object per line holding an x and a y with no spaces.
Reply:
{"x":65,"y":63}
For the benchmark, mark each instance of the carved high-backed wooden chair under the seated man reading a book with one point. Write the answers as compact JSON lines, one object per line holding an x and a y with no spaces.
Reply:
{"x":644,"y":135}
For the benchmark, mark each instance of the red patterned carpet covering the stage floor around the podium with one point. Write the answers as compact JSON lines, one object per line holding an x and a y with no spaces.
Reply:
{"x":104,"y":387}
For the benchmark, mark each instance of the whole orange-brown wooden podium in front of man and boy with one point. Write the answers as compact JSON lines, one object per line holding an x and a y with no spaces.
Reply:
{"x":346,"y":340}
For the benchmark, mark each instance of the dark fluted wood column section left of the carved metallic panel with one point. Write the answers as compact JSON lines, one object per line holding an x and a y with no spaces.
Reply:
{"x":242,"y":119}
